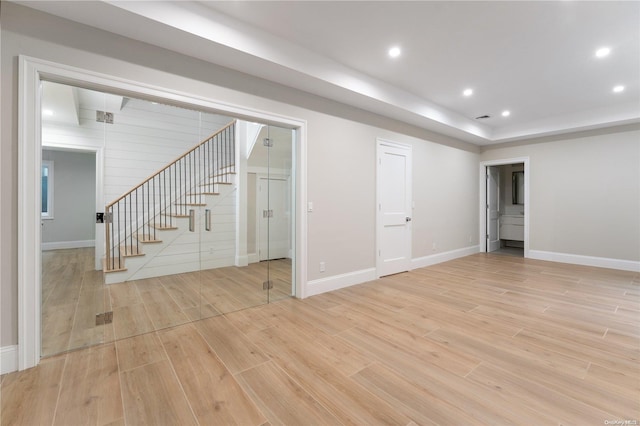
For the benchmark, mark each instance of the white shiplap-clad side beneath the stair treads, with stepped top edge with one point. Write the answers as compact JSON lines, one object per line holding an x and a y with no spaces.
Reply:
{"x":181,"y":250}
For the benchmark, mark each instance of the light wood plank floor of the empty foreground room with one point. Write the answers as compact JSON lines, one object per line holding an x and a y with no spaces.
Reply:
{"x":485,"y":339}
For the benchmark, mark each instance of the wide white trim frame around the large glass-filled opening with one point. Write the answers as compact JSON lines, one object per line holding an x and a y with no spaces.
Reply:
{"x":31,"y":71}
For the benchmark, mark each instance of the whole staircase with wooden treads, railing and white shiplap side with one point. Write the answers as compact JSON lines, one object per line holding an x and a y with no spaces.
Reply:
{"x":164,"y":211}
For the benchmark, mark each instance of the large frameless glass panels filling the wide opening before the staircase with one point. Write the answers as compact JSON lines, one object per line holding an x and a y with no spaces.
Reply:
{"x":187,"y":215}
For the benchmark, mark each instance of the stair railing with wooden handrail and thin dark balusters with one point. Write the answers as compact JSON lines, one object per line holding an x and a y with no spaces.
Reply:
{"x":109,"y":256}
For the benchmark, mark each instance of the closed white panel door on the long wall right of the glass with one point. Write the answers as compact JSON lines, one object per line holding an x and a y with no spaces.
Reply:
{"x":394,"y":208}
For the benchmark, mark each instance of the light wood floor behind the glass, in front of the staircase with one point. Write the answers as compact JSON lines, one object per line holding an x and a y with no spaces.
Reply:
{"x":73,"y":293}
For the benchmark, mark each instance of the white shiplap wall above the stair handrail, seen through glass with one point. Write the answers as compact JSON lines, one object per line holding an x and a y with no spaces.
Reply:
{"x":144,"y":138}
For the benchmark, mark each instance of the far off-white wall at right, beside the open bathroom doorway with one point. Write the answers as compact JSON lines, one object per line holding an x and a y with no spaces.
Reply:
{"x":584,"y":193}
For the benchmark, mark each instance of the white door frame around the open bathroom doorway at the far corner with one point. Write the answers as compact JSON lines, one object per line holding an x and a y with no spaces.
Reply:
{"x":482,"y":179}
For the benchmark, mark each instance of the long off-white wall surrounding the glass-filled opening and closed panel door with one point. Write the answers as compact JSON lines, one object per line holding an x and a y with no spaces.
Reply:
{"x":340,"y":149}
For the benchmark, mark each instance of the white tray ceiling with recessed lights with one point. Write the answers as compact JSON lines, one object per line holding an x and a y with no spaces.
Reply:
{"x":535,"y":59}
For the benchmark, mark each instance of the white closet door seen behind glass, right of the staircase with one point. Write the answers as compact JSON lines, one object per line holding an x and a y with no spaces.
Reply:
{"x":273,"y":214}
